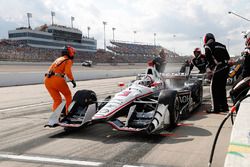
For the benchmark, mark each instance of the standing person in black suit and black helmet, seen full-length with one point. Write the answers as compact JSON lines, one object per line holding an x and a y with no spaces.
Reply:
{"x":217,"y":57}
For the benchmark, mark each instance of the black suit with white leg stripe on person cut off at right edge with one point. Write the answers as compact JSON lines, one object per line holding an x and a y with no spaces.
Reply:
{"x":242,"y":87}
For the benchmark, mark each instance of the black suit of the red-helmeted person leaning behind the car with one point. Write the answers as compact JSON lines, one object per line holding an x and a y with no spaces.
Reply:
{"x":200,"y":62}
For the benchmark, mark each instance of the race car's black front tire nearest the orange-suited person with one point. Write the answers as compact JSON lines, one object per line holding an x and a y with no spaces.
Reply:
{"x":85,"y":97}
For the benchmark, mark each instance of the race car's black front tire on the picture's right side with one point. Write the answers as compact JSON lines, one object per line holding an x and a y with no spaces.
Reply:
{"x":170,"y":97}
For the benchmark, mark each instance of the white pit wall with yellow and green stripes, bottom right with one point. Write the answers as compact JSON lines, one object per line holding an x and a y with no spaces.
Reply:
{"x":238,"y":154}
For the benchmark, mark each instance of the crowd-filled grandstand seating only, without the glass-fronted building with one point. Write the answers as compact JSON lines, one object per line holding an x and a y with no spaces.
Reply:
{"x":19,"y":51}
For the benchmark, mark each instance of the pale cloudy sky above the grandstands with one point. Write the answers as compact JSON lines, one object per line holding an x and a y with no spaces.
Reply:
{"x":179,"y":25}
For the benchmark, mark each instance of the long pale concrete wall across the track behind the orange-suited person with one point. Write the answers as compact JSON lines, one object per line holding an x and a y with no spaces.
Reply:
{"x":26,"y":78}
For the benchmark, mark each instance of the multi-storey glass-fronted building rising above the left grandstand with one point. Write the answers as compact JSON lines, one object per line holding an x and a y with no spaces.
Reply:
{"x":53,"y":37}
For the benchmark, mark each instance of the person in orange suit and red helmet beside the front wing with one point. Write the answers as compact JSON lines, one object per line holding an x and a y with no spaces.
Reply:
{"x":55,"y":81}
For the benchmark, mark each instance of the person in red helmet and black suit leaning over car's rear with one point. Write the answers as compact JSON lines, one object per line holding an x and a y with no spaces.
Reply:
{"x":198,"y":61}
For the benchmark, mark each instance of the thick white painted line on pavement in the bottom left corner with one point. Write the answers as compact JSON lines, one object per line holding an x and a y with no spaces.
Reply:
{"x":53,"y":160}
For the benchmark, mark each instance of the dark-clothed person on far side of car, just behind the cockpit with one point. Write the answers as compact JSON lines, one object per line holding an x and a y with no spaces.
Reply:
{"x":160,"y":61}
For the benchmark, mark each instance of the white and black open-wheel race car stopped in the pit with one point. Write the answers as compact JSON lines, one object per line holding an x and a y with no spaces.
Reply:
{"x":150,"y":104}
